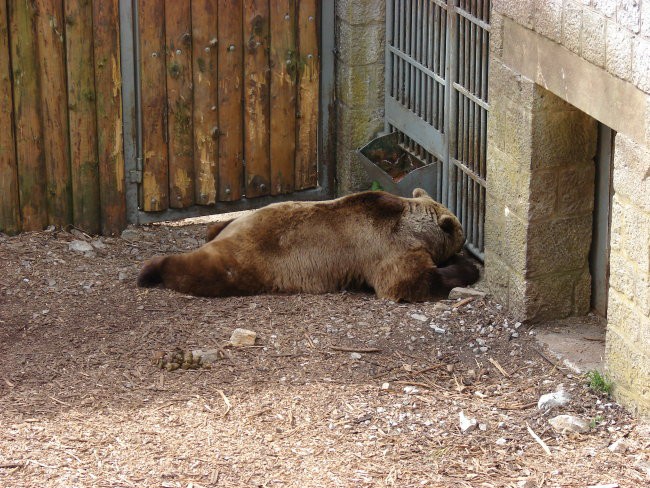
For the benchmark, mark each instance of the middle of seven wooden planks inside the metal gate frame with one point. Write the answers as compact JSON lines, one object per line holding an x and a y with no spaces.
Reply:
{"x":230,"y":99}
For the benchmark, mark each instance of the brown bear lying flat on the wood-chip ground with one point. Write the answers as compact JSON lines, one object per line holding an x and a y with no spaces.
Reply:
{"x":405,"y":249}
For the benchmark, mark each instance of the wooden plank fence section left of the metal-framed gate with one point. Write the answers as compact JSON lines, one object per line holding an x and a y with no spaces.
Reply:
{"x":61,"y":154}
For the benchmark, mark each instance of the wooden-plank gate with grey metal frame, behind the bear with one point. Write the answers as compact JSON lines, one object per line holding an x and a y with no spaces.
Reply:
{"x":226,"y":104}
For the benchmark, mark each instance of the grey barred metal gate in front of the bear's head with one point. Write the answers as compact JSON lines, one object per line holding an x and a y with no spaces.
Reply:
{"x":436,"y":97}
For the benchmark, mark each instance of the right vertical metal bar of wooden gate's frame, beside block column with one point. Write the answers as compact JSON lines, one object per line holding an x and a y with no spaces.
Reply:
{"x":326,"y":136}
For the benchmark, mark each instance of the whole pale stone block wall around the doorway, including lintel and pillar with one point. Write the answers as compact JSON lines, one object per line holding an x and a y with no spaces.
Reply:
{"x":595,"y":55}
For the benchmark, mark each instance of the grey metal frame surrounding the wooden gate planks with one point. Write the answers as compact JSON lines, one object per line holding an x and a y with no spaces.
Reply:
{"x":131,"y":114}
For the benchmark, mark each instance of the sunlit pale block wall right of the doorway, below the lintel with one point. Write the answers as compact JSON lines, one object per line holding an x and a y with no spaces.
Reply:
{"x":628,"y":314}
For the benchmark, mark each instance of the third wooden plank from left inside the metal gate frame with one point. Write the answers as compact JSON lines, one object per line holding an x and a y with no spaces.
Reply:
{"x":205,"y":48}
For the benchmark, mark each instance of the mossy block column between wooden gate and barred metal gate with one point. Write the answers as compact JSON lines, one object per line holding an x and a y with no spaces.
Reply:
{"x":360,"y":33}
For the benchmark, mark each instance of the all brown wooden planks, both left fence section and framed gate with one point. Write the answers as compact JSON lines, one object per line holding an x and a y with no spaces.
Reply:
{"x":228,"y":107}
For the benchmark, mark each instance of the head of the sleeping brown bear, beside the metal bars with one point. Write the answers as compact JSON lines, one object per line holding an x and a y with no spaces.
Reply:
{"x":445,"y":238}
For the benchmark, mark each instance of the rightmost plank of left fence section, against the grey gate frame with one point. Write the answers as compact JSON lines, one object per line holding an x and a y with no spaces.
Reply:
{"x":108,"y":83}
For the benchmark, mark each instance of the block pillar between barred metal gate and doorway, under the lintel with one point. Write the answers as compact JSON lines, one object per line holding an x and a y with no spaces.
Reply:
{"x":540,"y":199}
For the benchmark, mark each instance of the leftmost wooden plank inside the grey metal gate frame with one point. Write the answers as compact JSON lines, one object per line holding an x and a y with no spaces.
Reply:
{"x":155,"y":171}
